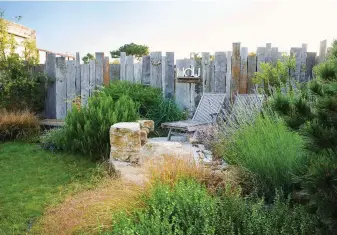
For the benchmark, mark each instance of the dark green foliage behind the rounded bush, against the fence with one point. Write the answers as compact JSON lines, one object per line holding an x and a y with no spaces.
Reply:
{"x":152,"y":105}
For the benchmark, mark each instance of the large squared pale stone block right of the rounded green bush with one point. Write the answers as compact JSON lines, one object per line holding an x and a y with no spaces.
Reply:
{"x":125,"y":141}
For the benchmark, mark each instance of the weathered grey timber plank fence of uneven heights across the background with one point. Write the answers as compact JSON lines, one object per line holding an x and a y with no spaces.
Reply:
{"x":227,"y":72}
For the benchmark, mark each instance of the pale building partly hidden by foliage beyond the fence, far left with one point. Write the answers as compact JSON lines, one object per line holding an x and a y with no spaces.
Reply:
{"x":22,"y":33}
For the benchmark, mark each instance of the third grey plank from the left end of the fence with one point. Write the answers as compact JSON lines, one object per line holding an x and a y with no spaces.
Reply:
{"x":71,"y":69}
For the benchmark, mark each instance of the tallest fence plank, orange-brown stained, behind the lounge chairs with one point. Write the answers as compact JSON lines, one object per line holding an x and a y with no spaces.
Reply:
{"x":236,"y":64}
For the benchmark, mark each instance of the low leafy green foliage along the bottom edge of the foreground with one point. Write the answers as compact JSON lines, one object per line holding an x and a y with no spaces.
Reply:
{"x":187,"y":208}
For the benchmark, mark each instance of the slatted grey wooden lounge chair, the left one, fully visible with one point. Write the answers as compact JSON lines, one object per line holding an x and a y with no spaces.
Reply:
{"x":206,"y":113}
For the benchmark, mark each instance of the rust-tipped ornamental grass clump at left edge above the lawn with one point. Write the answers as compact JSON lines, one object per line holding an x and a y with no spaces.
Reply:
{"x":18,"y":125}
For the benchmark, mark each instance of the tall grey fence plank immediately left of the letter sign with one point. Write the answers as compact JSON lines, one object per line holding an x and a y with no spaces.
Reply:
{"x":169,"y":75}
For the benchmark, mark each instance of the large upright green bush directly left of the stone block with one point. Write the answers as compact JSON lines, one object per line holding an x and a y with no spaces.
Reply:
{"x":87,"y":130}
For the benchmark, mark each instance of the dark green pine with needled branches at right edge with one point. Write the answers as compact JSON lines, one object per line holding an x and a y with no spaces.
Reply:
{"x":312,"y":111}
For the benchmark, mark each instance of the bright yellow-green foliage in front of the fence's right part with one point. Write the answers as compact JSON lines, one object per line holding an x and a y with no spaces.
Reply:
{"x":275,"y":74}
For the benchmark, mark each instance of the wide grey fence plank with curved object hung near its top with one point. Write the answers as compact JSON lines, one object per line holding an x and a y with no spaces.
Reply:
{"x":156,"y":69}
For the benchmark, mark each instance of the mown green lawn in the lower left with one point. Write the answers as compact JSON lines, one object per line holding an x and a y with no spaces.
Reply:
{"x":31,"y":179}
